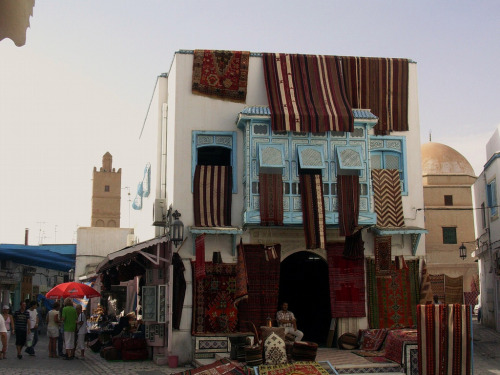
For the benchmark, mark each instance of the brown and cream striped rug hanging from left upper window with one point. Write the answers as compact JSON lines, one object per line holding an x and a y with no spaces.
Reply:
{"x":212,"y":195}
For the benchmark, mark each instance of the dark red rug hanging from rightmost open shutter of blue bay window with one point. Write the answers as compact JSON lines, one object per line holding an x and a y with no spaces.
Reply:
{"x":348,"y":204}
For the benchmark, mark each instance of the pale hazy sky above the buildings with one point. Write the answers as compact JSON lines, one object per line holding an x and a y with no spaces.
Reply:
{"x":82,"y":83}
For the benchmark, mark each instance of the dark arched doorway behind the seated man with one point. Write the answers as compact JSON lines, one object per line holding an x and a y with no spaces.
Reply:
{"x":304,"y":285}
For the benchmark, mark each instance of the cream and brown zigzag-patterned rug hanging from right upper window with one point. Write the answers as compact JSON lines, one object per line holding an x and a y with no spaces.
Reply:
{"x":387,"y":195}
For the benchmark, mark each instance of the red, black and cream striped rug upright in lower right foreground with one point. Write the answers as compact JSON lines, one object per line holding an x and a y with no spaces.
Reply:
{"x":444,"y":339}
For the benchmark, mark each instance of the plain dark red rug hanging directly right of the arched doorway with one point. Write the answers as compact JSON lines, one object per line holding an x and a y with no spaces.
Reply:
{"x":347,"y":283}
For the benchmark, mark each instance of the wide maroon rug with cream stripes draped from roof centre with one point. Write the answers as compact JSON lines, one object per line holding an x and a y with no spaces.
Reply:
{"x":306,"y":93}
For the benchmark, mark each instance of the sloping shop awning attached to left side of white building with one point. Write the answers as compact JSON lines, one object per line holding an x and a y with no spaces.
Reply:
{"x":139,"y":254}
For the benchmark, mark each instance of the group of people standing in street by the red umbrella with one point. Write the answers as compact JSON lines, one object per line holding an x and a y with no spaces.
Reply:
{"x":65,"y":327}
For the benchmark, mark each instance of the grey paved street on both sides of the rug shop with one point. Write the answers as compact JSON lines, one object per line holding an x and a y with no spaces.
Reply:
{"x":486,"y":360}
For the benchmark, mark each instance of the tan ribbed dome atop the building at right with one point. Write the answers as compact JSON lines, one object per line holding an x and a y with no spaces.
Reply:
{"x":441,"y":159}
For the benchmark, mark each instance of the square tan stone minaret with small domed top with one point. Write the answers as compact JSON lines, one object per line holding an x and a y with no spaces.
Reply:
{"x":106,"y":194}
